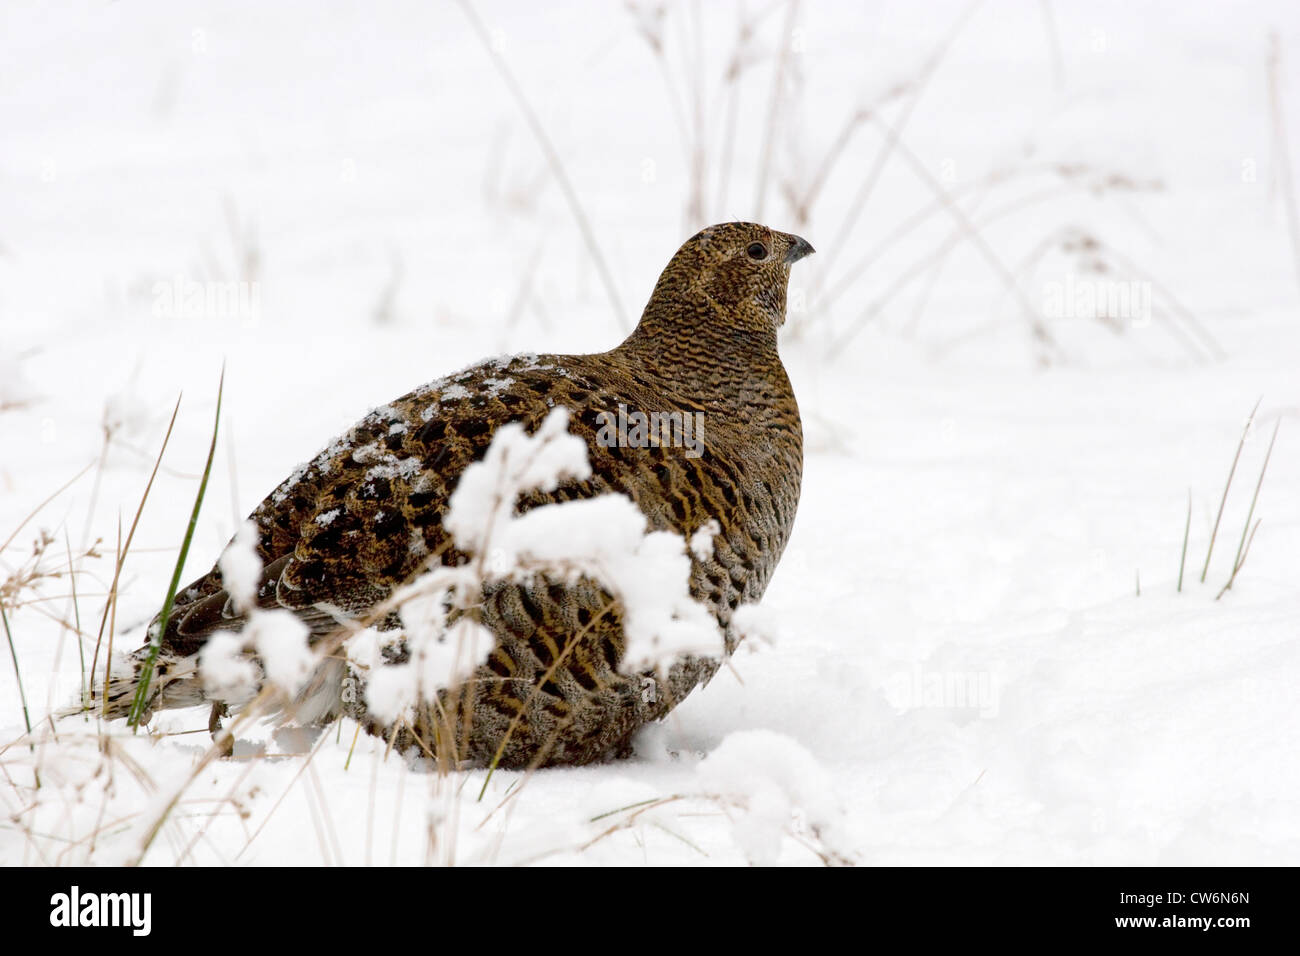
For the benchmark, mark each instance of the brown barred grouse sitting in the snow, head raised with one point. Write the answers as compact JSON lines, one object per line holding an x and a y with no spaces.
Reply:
{"x":367,"y":514}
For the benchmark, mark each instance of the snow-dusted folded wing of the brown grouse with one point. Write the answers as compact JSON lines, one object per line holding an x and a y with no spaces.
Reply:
{"x":367,"y":513}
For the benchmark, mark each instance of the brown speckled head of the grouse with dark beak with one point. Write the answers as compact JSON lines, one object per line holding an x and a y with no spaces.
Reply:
{"x":735,"y":274}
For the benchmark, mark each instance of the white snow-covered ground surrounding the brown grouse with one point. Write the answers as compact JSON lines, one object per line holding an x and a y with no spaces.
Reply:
{"x":978,"y":651}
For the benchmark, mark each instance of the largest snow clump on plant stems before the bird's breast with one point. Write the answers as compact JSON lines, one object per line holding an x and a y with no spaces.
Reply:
{"x":605,"y":539}
